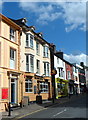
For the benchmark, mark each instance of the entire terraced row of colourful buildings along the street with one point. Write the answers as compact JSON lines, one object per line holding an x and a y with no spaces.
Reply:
{"x":29,"y":64}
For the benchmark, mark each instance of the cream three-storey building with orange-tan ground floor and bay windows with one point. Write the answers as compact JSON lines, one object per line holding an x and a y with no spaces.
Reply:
{"x":35,"y":65}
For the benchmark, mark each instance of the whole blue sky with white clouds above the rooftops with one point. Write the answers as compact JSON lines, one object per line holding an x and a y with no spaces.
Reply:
{"x":62,"y":23}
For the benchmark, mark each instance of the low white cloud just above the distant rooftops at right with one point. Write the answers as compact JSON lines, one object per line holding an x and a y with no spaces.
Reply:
{"x":76,"y":58}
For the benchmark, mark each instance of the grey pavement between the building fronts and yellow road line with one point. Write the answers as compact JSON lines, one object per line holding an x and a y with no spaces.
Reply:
{"x":33,"y":108}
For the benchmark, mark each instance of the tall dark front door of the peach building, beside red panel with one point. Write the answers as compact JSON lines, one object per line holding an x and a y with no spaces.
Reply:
{"x":13,"y":91}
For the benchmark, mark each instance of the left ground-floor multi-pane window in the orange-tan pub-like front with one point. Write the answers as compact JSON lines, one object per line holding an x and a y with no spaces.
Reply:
{"x":29,"y":83}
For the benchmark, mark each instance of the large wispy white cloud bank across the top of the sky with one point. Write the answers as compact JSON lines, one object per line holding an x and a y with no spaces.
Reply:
{"x":72,"y":13}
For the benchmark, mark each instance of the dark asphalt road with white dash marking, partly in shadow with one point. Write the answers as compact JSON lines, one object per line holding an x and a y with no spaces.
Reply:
{"x":76,"y":108}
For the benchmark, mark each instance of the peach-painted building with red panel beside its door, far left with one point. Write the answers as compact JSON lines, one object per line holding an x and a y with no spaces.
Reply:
{"x":9,"y":61}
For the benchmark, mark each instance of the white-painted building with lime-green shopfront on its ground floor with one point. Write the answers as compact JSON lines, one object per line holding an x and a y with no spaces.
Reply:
{"x":60,"y":78}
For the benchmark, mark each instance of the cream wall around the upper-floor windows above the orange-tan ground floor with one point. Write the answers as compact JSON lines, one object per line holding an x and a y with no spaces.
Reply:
{"x":33,"y":52}
